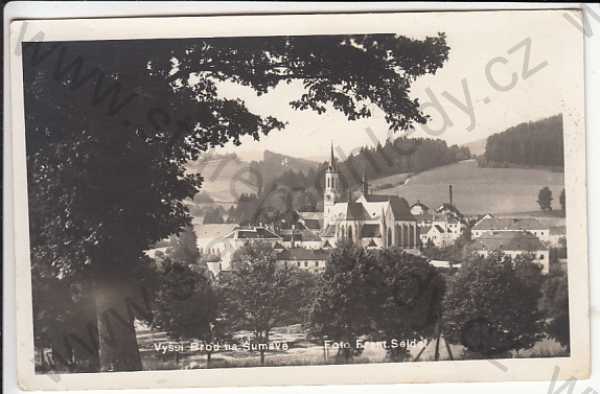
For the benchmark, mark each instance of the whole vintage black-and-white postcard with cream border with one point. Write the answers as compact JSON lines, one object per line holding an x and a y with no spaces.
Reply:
{"x":299,"y":199}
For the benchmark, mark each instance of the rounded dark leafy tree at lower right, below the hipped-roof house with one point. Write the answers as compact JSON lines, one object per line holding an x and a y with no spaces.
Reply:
{"x":491,"y":305}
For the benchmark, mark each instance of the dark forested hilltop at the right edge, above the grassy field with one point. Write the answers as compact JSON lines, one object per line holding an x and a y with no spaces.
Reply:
{"x":538,"y":143}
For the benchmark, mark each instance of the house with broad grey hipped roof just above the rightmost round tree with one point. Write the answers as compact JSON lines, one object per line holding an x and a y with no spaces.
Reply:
{"x":513,"y":243}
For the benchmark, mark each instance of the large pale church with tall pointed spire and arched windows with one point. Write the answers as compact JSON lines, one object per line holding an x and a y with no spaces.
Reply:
{"x":370,"y":220}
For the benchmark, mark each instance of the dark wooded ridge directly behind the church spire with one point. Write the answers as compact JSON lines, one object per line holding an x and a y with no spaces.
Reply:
{"x":301,"y":189}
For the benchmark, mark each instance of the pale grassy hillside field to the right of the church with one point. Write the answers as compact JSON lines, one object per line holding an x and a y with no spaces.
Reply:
{"x":479,"y":190}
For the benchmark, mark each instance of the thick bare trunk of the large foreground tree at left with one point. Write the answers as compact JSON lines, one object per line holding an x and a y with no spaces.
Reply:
{"x":118,"y":348}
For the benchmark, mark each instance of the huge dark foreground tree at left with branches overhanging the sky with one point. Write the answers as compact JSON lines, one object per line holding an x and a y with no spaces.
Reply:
{"x":111,"y":124}
